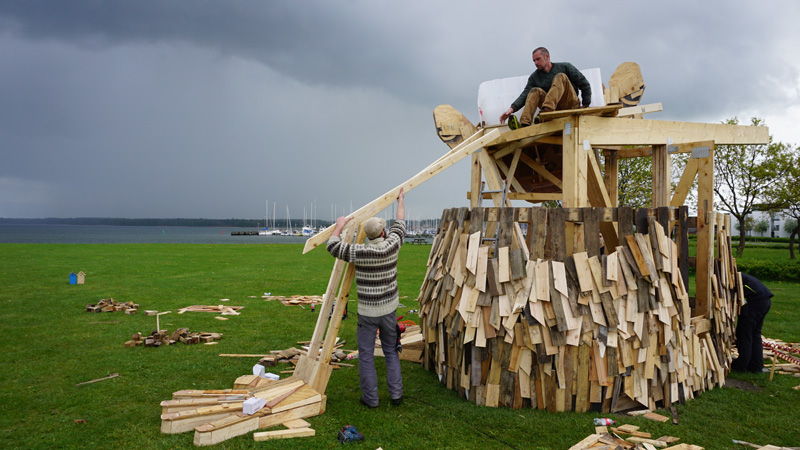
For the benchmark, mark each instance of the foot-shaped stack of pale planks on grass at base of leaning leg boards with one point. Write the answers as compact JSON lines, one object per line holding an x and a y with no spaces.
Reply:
{"x":218,"y":415}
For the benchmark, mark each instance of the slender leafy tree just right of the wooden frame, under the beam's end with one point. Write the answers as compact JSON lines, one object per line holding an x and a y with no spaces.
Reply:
{"x":744,"y":173}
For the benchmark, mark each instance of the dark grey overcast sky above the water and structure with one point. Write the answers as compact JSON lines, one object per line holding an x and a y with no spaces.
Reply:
{"x":206,"y":109}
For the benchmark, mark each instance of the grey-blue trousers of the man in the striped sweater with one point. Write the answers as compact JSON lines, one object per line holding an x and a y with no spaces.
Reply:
{"x":368,"y":377}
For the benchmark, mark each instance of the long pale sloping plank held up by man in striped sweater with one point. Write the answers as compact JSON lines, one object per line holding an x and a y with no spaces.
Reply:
{"x":465,"y":149}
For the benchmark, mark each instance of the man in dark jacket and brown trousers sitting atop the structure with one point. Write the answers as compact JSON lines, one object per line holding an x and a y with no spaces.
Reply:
{"x":551,"y":87}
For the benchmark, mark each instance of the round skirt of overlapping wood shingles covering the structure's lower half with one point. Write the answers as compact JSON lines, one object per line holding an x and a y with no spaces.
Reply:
{"x":521,"y":323}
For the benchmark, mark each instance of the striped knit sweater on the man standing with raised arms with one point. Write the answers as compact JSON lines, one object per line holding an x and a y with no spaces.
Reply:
{"x":376,"y":269}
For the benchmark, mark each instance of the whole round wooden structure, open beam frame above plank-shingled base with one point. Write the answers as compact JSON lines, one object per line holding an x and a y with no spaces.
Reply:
{"x":473,"y":290}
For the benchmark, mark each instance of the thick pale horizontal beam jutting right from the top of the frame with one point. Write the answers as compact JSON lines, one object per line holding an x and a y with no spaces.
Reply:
{"x":602,"y":131}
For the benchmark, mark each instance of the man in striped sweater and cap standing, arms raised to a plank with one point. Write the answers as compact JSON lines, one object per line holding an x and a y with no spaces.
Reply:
{"x":378,"y":298}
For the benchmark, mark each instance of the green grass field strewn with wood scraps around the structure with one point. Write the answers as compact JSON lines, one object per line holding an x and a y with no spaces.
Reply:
{"x":50,"y":344}
